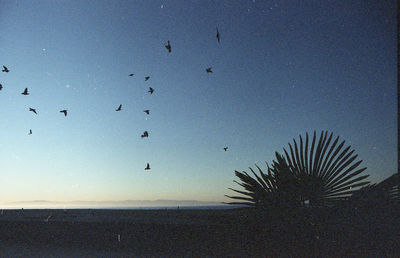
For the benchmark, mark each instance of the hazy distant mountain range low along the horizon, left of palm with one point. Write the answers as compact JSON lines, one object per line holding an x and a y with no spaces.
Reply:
{"x":124,"y":203}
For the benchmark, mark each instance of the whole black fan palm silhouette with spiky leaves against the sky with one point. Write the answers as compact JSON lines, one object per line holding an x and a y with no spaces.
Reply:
{"x":321,"y":175}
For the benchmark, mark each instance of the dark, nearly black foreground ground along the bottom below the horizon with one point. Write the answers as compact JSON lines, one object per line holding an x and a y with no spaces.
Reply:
{"x":217,"y":233}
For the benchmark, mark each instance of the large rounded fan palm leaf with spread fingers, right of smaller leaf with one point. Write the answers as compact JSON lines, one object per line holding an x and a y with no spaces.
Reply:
{"x":331,"y":172}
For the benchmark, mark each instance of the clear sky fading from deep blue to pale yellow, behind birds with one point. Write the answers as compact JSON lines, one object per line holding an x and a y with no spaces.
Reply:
{"x":281,"y":69}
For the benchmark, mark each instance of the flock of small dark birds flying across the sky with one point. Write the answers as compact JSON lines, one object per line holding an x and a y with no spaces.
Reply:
{"x":151,"y":90}
